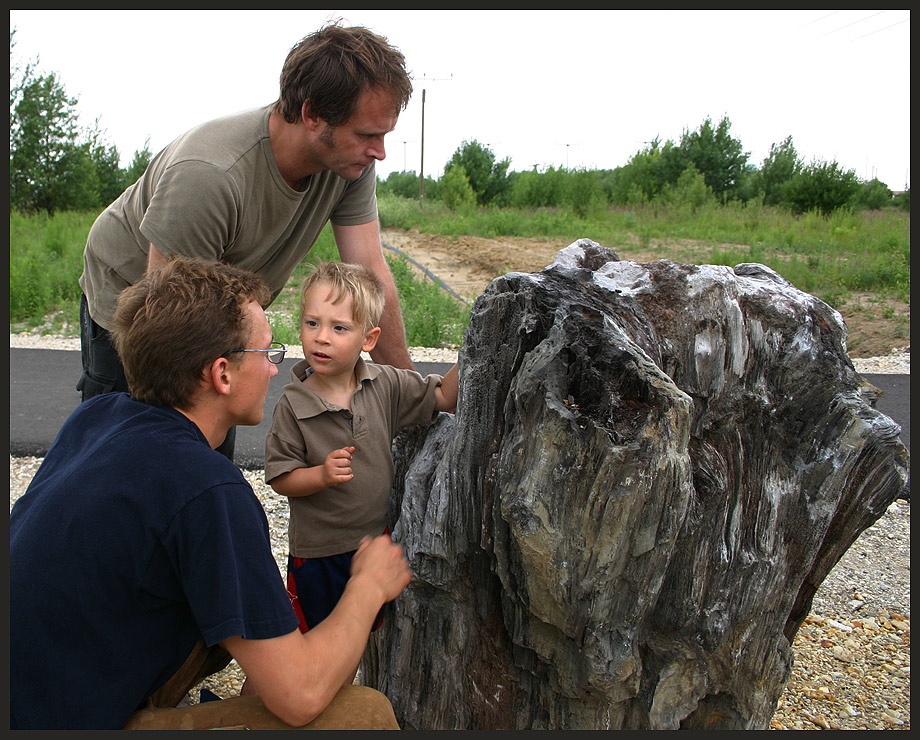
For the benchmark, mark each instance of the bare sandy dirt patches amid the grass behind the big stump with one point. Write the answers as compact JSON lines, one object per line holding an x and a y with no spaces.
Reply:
{"x":468,"y":264}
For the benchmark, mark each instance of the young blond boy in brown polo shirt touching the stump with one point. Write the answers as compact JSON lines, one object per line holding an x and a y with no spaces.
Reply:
{"x":329,"y":446}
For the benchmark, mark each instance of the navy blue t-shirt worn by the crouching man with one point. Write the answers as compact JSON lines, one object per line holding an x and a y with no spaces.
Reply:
{"x":133,"y":539}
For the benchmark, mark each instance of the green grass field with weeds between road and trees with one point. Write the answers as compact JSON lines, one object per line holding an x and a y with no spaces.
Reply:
{"x":857,"y":262}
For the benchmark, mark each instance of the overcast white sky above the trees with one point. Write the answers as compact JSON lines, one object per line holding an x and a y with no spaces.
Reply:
{"x":565,"y":88}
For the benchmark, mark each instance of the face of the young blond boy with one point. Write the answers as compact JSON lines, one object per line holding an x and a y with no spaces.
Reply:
{"x":332,"y":340}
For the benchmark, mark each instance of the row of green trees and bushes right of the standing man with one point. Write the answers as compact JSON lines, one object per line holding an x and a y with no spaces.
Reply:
{"x":707,"y":165}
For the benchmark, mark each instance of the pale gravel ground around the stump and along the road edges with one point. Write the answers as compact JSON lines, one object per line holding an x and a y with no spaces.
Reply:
{"x":852,"y":654}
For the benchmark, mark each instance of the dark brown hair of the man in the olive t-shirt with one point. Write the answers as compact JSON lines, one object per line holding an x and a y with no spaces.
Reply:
{"x":332,"y":68}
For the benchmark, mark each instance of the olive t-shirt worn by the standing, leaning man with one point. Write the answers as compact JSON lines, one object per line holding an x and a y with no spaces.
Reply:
{"x":216,"y":193}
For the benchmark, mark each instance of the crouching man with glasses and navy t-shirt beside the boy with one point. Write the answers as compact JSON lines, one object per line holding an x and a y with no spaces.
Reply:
{"x":140,"y":558}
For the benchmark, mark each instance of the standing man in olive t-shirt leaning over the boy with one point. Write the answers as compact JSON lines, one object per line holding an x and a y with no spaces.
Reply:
{"x":255,"y":189}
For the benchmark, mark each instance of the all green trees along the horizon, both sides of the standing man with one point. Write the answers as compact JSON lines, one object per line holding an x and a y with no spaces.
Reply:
{"x":57,"y":165}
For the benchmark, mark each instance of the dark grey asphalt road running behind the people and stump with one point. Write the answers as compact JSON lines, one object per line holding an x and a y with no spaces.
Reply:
{"x":43,"y":394}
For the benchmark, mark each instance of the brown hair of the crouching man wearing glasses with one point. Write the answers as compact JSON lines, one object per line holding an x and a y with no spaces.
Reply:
{"x":173,"y":323}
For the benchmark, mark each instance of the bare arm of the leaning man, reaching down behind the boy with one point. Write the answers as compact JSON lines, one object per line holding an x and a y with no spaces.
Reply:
{"x":361,"y":245}
